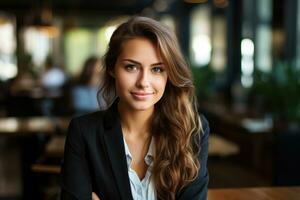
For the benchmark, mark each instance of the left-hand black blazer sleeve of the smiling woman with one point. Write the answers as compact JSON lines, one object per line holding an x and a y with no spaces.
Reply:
{"x":76,"y":182}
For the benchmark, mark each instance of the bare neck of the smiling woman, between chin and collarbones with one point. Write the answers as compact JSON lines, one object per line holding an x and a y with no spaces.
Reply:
{"x":135,"y":123}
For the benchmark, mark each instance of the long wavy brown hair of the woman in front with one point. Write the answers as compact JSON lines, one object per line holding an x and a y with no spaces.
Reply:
{"x":176,"y":125}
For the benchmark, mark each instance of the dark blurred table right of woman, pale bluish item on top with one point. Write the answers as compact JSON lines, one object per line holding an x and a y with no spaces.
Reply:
{"x":254,"y":137}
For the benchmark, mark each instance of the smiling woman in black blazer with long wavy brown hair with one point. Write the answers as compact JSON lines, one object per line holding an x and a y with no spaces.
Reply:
{"x":150,"y":143}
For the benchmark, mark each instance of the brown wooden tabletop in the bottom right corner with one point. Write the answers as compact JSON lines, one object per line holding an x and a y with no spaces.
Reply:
{"x":263,"y":193}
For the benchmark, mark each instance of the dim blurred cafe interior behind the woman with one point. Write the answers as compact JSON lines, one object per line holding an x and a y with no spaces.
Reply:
{"x":245,"y":60}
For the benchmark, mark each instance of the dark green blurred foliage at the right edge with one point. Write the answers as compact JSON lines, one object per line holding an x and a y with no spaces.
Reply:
{"x":281,"y":90}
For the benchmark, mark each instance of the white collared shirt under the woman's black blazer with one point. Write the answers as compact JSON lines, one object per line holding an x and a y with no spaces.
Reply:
{"x":141,"y":189}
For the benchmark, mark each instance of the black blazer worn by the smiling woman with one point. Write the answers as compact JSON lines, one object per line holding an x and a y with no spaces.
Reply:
{"x":95,"y":161}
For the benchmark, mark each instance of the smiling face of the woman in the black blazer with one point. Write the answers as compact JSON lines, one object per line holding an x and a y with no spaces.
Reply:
{"x":140,"y":75}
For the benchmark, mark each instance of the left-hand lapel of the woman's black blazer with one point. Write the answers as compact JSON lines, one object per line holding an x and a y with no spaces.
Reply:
{"x":115,"y":148}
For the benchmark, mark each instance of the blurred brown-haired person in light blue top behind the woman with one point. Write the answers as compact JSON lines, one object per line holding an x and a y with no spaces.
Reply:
{"x":84,"y":93}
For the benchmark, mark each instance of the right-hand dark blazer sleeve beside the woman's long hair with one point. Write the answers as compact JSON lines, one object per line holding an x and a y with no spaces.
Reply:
{"x":197,"y":190}
